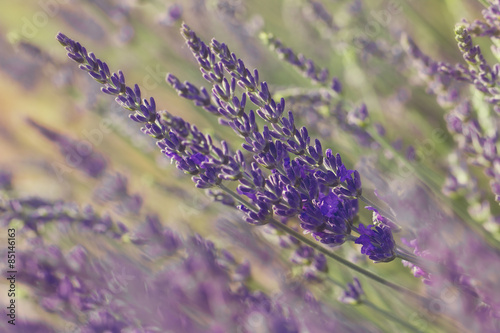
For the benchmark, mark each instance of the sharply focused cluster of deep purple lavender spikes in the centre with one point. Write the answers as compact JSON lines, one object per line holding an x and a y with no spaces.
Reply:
{"x":314,"y":186}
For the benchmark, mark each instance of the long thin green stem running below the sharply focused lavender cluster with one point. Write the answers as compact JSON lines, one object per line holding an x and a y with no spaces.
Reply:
{"x":315,"y":245}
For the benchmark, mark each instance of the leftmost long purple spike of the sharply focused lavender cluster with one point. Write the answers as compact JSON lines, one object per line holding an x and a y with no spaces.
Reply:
{"x":179,"y":140}
